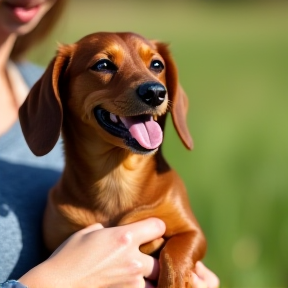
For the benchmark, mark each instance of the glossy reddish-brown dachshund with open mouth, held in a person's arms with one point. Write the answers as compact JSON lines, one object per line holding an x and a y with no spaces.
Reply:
{"x":109,"y":93}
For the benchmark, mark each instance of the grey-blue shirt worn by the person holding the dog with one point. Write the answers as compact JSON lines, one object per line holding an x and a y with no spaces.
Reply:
{"x":24,"y":182}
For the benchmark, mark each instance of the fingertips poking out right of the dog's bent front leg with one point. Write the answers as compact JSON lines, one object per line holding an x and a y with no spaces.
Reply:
{"x":206,"y":276}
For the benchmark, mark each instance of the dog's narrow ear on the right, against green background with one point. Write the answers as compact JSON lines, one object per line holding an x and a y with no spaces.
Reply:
{"x":177,"y":96}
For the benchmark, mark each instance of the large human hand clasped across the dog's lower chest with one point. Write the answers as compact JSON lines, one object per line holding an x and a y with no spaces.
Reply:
{"x":101,"y":257}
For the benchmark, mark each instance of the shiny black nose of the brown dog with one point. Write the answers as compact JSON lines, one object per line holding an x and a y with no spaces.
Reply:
{"x":152,"y":93}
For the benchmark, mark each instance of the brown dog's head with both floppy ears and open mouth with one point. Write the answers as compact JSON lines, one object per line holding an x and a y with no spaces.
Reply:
{"x":118,"y":84}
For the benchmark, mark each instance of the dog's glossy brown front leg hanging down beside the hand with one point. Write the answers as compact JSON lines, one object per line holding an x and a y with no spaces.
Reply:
{"x":178,"y":258}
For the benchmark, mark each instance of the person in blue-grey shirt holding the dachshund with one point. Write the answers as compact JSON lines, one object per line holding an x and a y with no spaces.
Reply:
{"x":83,"y":259}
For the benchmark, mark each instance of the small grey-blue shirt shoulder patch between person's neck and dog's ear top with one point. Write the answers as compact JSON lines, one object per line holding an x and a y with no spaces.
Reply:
{"x":30,"y":72}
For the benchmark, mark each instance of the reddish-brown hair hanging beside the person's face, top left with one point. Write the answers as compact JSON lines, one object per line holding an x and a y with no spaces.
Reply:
{"x":23,"y":43}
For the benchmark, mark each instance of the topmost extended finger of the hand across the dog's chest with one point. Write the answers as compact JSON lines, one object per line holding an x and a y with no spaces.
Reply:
{"x":147,"y":230}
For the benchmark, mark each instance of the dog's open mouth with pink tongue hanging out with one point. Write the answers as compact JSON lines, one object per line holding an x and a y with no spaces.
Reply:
{"x":141,"y":133}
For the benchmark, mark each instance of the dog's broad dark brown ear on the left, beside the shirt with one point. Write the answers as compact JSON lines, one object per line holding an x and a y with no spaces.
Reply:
{"x":41,"y":114}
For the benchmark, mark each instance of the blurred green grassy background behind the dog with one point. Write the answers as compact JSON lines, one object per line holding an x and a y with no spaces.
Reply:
{"x":233,"y":64}
